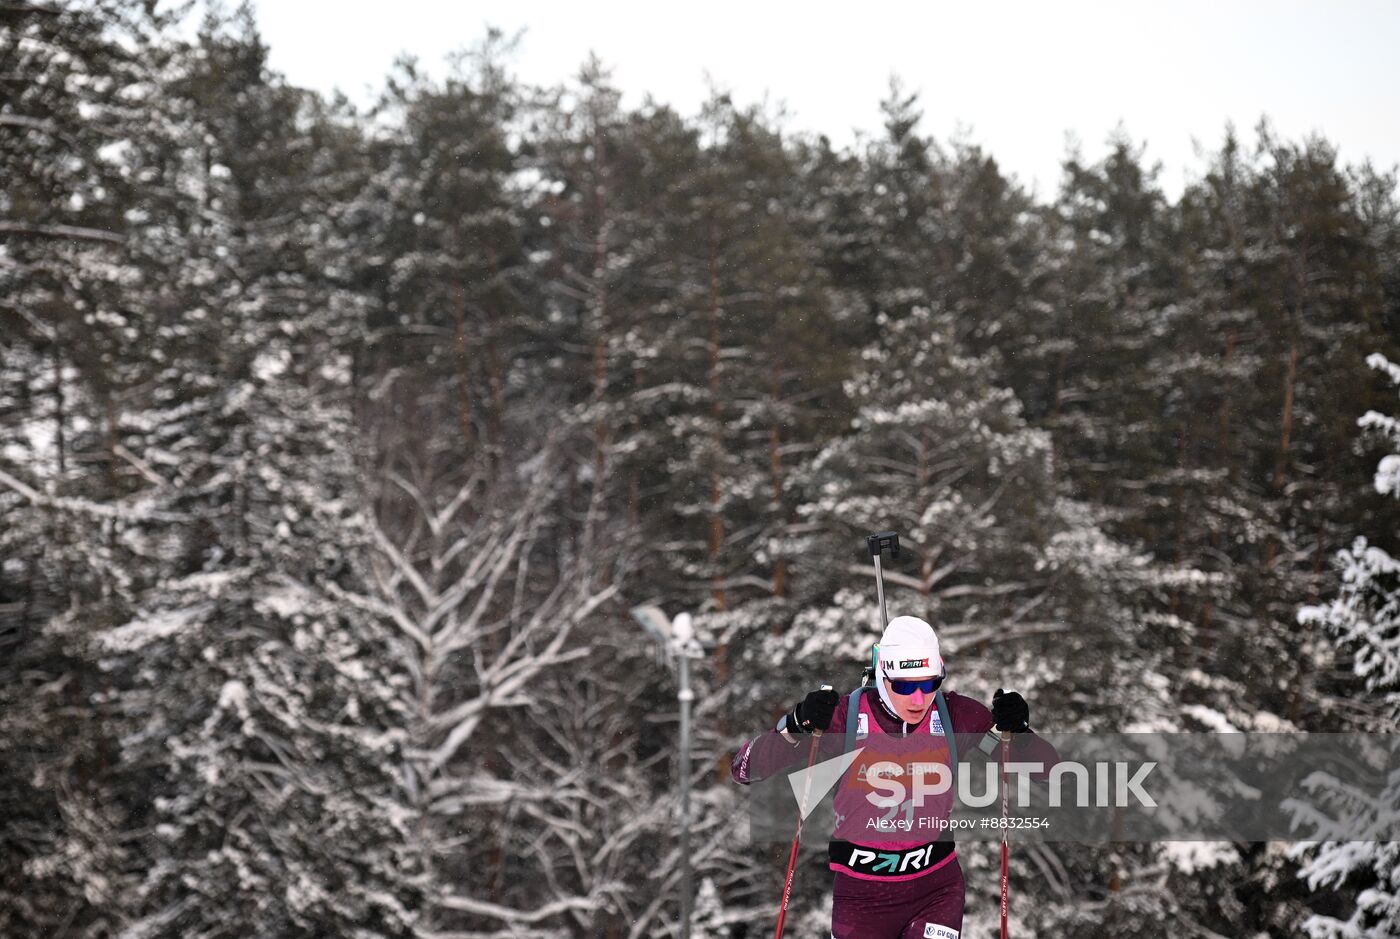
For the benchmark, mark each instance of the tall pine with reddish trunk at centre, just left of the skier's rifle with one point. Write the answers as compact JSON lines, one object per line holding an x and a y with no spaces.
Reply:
{"x":761,"y":366}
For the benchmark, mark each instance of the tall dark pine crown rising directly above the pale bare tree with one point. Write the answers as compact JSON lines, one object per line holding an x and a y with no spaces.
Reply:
{"x":437,"y":239}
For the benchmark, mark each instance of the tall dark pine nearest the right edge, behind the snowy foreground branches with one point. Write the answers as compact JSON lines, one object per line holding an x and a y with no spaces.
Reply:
{"x":1308,"y":290}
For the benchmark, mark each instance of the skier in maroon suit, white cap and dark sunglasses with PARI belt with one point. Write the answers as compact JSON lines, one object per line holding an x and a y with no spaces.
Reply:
{"x":897,"y":867}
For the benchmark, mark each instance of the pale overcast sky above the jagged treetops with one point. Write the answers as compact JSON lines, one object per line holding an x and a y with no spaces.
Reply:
{"x":1014,"y":78}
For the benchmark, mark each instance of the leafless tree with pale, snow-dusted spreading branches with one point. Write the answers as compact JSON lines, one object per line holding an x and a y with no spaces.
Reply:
{"x":488,"y":590}
